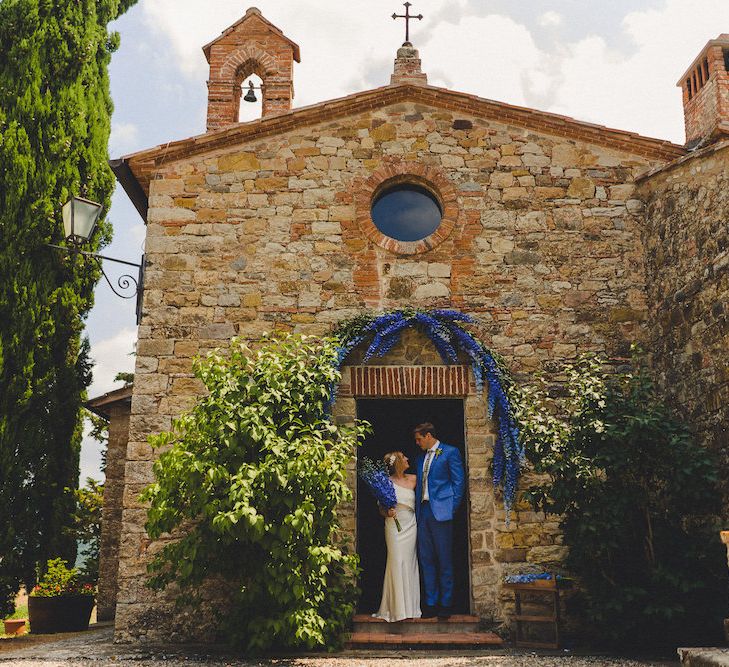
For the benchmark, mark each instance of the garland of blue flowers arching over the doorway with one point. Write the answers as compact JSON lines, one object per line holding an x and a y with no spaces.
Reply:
{"x":447,"y":330}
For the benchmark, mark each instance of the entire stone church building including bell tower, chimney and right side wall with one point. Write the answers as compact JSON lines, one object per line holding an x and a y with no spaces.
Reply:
{"x":560,"y":236}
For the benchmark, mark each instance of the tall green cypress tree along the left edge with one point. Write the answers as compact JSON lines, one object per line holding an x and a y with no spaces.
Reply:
{"x":55,"y":110}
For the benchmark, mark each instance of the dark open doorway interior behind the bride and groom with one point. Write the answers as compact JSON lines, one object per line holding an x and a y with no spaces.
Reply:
{"x":393,"y":421}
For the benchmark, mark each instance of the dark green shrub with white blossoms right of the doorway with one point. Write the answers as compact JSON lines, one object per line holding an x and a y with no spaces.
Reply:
{"x":636,"y":495}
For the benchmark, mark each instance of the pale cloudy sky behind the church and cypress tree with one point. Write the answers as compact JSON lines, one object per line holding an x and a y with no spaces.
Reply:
{"x":614,"y":63}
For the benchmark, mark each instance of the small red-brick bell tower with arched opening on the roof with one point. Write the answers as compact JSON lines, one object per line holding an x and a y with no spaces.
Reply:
{"x":252,"y":45}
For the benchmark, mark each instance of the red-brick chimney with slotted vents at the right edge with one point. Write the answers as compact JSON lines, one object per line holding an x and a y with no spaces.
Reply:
{"x":705,"y":88}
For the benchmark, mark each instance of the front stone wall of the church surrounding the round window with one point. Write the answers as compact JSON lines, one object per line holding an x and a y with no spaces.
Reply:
{"x":542,"y":244}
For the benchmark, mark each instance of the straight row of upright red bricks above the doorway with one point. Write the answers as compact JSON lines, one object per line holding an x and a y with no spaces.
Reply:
{"x":404,"y":381}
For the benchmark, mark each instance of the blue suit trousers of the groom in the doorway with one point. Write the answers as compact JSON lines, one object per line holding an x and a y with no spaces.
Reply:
{"x":435,"y":547}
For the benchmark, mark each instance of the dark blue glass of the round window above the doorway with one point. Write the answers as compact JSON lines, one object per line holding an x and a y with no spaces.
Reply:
{"x":406,"y":212}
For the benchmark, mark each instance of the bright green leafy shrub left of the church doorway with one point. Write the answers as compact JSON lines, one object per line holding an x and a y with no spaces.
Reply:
{"x":255,"y":473}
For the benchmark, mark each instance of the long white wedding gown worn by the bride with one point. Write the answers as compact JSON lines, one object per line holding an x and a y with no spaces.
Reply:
{"x":401,"y":587}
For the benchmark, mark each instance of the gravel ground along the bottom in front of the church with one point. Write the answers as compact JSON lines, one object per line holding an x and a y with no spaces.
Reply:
{"x":95,"y":648}
